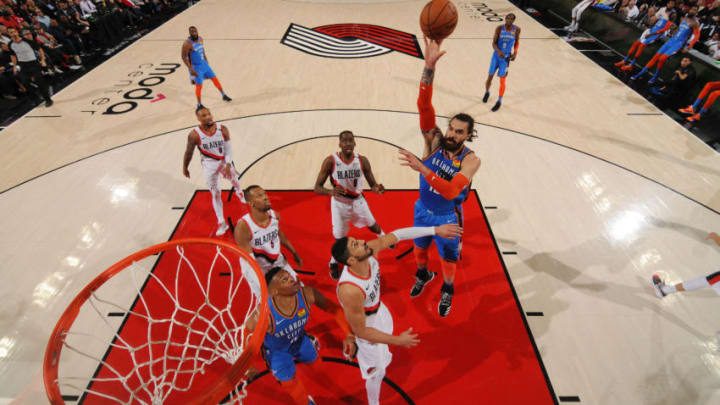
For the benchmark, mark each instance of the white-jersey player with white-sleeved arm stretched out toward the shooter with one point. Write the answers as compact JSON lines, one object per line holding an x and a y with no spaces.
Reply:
{"x":359,"y":294}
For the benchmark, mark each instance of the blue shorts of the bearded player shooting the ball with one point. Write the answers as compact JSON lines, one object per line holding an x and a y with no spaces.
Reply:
{"x":448,"y":249}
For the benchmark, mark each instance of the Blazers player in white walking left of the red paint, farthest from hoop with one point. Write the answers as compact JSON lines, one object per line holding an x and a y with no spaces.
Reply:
{"x":213,"y":142}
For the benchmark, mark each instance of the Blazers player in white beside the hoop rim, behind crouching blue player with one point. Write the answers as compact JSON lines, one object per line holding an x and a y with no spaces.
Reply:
{"x":258,"y":233}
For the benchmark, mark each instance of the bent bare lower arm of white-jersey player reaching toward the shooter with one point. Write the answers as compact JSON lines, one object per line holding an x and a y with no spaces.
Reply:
{"x":352,"y":298}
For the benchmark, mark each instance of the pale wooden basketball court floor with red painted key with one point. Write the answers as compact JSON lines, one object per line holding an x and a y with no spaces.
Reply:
{"x":584,"y":192}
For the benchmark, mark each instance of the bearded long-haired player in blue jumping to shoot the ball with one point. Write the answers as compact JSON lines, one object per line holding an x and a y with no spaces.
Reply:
{"x":445,"y":173}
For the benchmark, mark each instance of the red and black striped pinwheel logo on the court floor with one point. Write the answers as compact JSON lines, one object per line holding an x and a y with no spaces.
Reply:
{"x":349,"y":41}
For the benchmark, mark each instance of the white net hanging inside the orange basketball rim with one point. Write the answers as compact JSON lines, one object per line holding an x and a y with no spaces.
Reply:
{"x":185,"y":327}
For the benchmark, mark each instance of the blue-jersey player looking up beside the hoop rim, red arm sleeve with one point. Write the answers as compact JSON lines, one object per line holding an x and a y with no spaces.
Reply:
{"x":285,"y":339}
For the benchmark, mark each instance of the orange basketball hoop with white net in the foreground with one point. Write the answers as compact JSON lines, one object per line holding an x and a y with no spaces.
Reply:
{"x":182,"y":338}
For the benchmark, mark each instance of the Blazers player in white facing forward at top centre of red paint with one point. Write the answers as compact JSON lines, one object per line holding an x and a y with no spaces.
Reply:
{"x":347,"y":204}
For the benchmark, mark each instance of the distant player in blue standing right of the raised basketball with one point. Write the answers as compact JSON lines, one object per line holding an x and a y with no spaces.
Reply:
{"x":505,"y":45}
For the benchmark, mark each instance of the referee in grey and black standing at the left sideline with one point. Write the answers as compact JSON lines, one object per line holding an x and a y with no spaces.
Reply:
{"x":25,"y":57}
